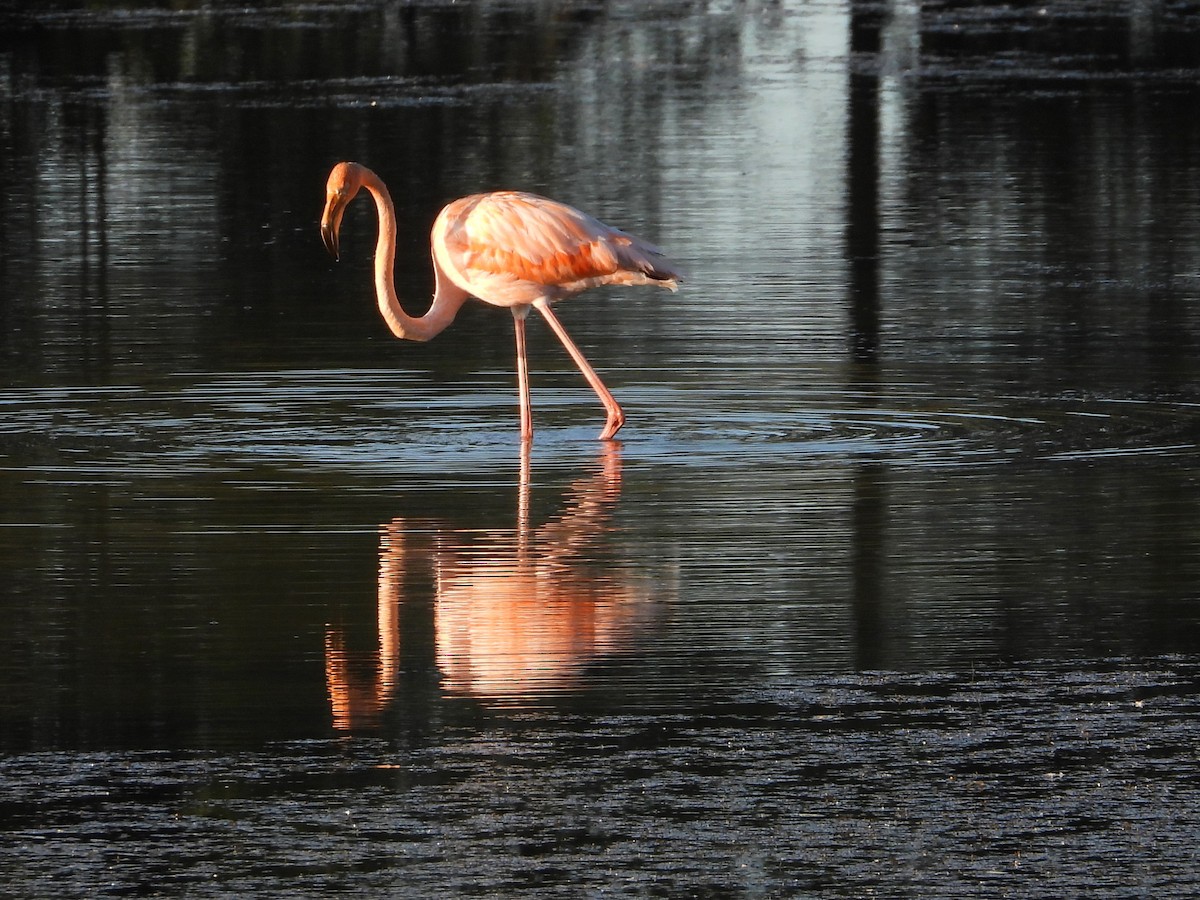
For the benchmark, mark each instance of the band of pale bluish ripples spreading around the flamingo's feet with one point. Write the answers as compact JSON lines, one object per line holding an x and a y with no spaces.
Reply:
{"x":379,"y":422}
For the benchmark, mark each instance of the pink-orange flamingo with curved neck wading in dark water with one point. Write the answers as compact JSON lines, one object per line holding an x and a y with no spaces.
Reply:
{"x":507,"y":249}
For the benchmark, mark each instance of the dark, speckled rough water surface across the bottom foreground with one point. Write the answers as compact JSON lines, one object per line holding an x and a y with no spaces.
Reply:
{"x":1079,"y":779}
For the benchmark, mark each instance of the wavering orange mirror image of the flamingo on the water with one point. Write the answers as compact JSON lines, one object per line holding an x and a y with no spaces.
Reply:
{"x":517,"y":614}
